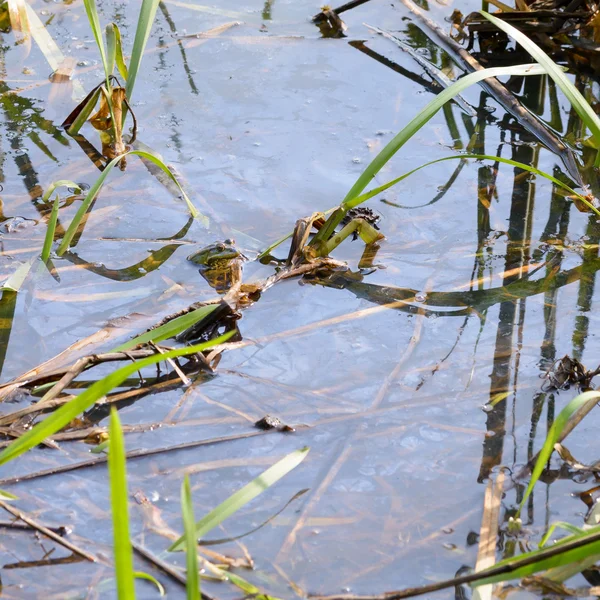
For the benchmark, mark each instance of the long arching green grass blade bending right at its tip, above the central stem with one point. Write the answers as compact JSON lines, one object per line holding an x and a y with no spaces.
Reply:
{"x":427,"y":113}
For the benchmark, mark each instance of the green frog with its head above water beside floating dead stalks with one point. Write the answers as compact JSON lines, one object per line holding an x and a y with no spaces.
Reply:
{"x":220,"y":264}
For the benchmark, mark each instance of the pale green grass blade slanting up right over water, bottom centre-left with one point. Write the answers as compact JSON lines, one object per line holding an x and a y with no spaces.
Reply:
{"x":245,"y":495}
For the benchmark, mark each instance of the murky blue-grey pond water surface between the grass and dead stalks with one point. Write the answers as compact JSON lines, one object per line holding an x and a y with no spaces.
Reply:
{"x":266,"y":123}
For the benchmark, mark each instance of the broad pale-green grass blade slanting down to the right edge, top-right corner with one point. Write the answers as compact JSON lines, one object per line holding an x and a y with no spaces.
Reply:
{"x":574,"y":96}
